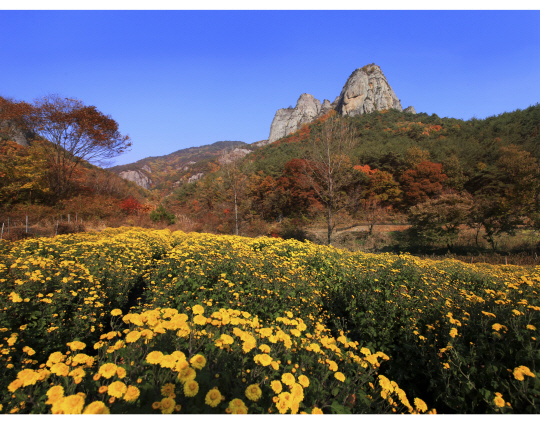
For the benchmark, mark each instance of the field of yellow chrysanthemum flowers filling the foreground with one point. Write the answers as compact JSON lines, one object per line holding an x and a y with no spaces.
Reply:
{"x":144,"y":321}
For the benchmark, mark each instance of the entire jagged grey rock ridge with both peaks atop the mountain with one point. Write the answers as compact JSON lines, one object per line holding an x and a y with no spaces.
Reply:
{"x":365,"y":91}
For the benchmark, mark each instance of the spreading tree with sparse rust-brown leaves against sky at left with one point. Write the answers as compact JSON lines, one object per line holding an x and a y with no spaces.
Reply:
{"x":77,"y":133}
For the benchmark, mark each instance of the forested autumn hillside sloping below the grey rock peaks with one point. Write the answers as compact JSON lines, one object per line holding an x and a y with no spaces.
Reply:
{"x":439,"y":173}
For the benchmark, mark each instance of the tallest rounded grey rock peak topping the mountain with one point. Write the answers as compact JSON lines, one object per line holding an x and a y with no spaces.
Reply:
{"x":367,"y":90}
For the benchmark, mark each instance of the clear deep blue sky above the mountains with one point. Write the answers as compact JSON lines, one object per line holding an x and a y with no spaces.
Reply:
{"x":176,"y":79}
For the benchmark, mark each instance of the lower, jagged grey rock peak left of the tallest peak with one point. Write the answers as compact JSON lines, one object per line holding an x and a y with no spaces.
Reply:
{"x":289,"y":120}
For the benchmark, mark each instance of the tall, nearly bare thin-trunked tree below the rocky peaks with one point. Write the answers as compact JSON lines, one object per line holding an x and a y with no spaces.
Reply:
{"x":328,"y":167}
